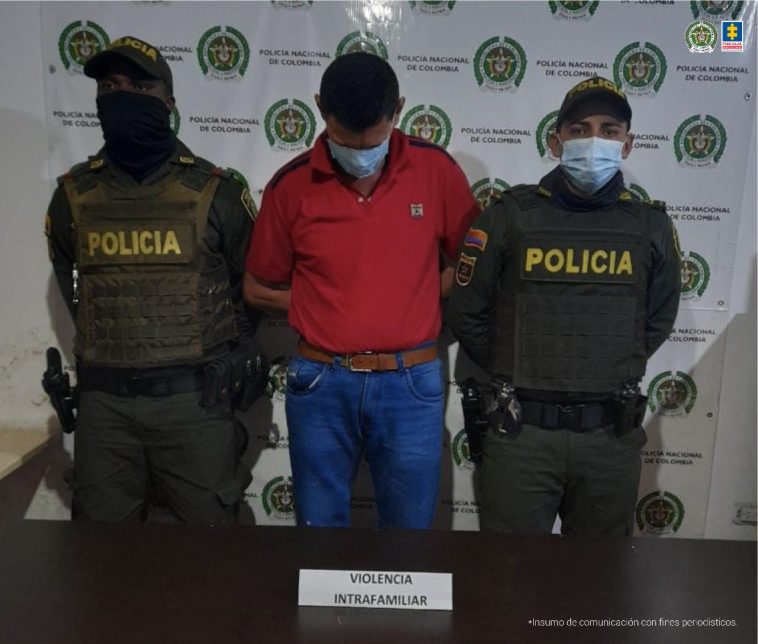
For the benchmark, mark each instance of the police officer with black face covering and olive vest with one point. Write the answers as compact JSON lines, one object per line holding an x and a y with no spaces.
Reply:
{"x":147,"y":243}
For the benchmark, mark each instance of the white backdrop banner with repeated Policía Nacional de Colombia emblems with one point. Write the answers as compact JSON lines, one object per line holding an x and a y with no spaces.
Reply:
{"x":484,"y":80}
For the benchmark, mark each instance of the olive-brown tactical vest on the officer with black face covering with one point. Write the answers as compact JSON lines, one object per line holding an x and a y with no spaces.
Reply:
{"x":151,"y":292}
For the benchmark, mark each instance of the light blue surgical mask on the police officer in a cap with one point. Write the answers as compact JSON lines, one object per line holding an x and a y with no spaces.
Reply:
{"x":591,"y":163}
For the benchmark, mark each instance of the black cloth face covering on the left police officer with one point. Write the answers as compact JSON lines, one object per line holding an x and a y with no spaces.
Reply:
{"x":137,"y":132}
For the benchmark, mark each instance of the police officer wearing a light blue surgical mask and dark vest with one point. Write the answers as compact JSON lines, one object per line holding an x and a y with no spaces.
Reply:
{"x":563,"y":291}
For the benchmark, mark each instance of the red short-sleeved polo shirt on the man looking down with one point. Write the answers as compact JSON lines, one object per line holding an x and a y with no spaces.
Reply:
{"x":365,"y":272}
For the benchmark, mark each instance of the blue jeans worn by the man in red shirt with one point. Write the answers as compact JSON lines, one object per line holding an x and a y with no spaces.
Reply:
{"x":334,"y":416}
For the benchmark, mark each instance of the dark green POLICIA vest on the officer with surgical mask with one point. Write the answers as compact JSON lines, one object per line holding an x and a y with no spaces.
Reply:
{"x":571,"y":302}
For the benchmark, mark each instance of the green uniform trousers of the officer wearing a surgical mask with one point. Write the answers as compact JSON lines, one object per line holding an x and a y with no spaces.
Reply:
{"x":589,"y":479}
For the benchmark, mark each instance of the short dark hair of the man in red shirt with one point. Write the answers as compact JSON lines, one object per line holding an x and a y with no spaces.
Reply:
{"x":359,"y":90}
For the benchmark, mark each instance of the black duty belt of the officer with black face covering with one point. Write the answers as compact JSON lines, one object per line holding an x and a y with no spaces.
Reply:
{"x":142,"y":382}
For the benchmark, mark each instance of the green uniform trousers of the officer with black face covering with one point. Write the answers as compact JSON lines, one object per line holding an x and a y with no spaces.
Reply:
{"x":189,"y":453}
